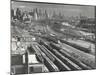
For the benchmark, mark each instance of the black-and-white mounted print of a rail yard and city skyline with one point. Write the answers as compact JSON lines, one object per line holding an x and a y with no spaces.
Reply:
{"x":52,"y":37}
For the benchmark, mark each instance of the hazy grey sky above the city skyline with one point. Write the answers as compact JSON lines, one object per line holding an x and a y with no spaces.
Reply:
{"x":67,"y":10}
